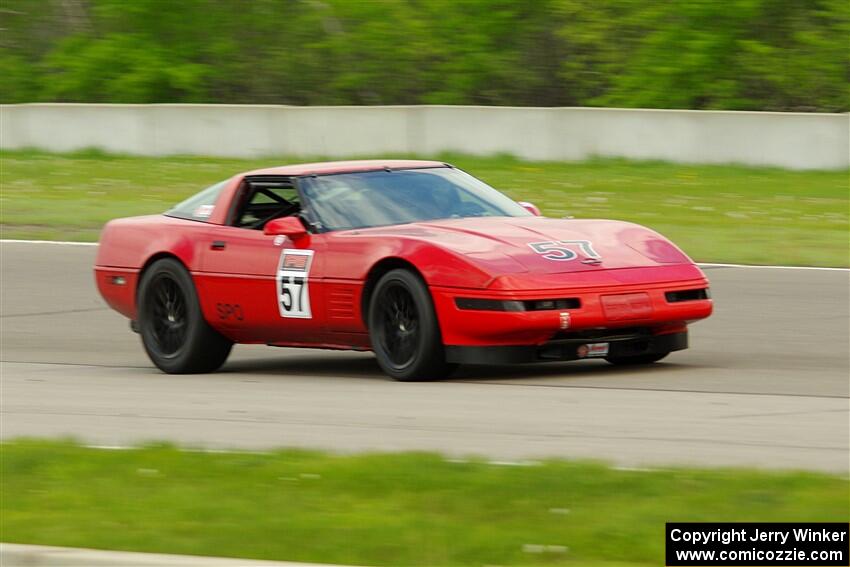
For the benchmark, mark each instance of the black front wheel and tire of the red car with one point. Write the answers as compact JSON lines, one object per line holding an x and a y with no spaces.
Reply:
{"x":404,"y":331}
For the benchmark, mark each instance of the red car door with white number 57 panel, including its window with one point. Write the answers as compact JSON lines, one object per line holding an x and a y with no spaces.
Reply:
{"x":263,"y":288}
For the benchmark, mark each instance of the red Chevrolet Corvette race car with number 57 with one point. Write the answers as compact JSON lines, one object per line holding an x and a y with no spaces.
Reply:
{"x":416,"y":260}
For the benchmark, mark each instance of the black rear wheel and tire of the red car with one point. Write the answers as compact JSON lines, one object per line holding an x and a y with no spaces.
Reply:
{"x":174,"y":333}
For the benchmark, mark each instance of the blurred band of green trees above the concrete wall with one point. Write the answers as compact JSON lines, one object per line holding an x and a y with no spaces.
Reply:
{"x":740,"y":54}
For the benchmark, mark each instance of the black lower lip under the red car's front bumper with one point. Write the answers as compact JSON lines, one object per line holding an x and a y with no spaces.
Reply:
{"x":631,"y":344}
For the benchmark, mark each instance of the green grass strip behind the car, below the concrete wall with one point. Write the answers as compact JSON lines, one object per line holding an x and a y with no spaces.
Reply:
{"x":716,"y":213}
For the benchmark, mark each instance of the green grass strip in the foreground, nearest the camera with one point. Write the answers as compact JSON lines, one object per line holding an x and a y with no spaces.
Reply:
{"x":387,"y":509}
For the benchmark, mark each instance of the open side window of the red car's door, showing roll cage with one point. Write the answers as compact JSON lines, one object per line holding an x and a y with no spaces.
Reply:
{"x":265,"y":200}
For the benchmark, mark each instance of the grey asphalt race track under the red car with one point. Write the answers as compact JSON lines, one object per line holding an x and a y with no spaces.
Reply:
{"x":764,"y":384}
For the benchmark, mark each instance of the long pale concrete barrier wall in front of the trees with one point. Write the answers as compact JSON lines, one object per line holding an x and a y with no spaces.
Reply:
{"x":790,"y":140}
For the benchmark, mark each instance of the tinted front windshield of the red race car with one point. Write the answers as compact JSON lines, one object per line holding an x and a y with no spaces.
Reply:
{"x":387,"y":197}
